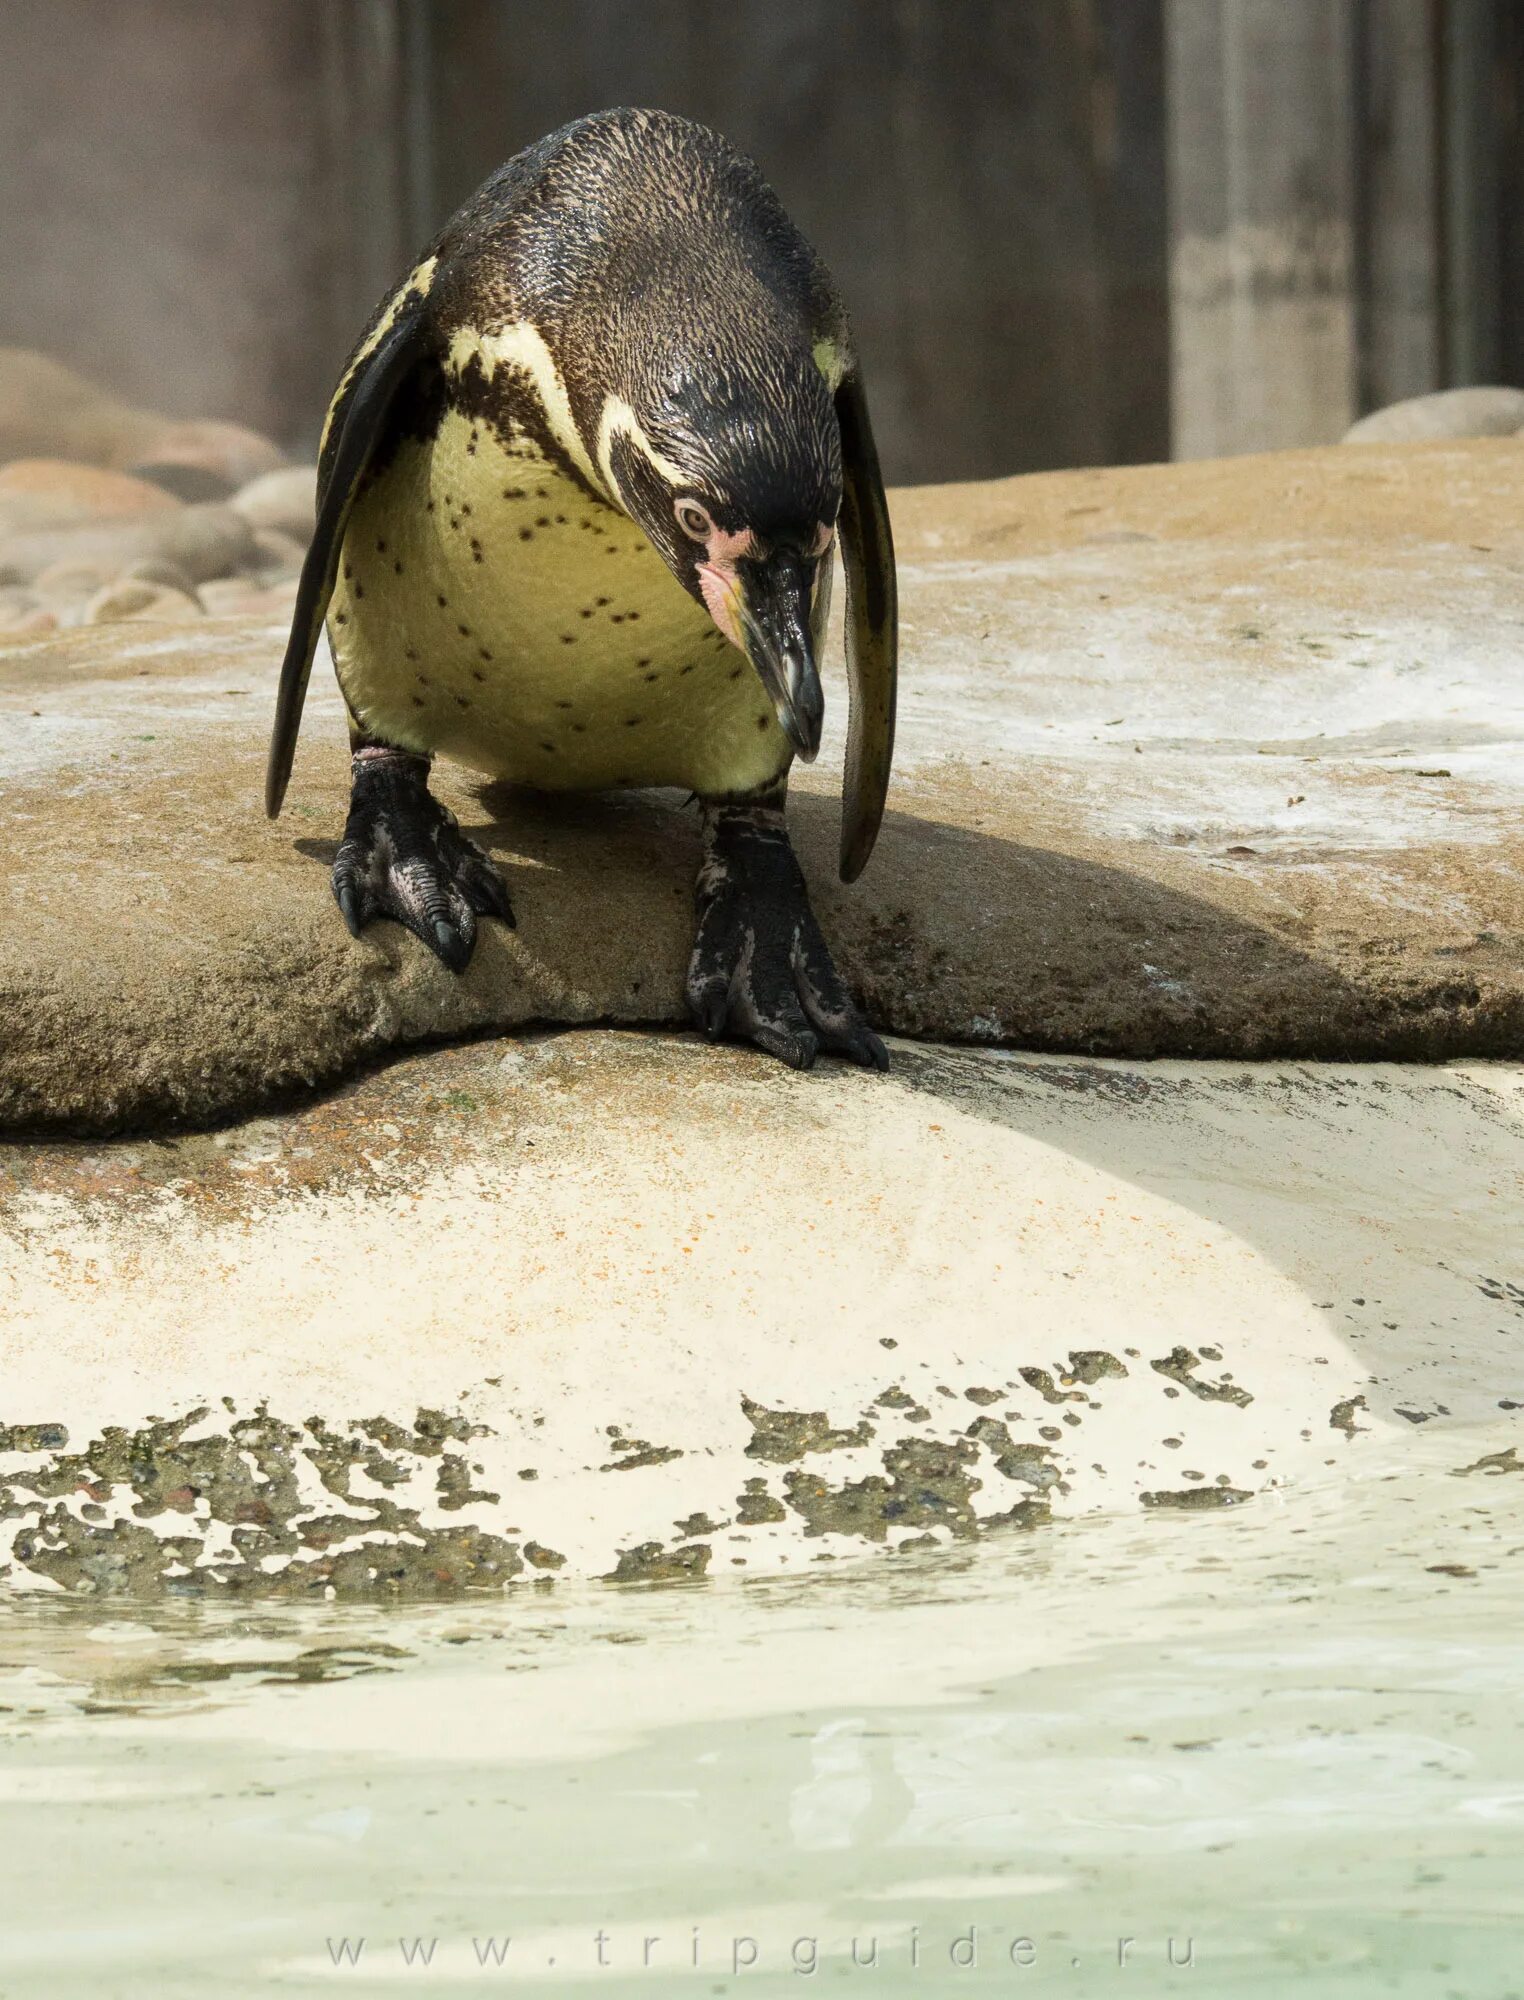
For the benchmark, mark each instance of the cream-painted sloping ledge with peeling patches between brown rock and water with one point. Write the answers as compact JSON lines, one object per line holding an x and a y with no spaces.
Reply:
{"x":637,"y":1309}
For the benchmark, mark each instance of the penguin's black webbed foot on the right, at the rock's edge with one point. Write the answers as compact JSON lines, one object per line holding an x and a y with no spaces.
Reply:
{"x":761,"y":969}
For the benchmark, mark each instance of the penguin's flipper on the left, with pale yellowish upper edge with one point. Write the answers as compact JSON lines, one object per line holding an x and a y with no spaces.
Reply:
{"x":357,"y":431}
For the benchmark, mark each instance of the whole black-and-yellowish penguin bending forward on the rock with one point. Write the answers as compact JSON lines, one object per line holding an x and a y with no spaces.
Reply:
{"x":579,"y":497}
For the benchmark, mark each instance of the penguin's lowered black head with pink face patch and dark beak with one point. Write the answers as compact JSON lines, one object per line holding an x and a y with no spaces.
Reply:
{"x":737,"y":481}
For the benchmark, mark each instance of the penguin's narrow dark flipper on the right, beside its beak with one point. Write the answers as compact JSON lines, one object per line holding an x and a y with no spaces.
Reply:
{"x":873,"y":631}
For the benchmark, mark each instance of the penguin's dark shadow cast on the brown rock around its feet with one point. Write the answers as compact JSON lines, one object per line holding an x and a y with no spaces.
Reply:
{"x":951,"y":935}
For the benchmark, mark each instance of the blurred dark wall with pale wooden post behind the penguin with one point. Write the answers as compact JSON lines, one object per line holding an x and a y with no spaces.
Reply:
{"x":1071,"y":231}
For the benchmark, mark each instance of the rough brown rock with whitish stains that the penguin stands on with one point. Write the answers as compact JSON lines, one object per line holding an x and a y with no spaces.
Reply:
{"x":1209,"y":759}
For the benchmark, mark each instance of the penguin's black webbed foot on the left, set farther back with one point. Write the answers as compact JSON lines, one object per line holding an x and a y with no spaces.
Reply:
{"x":405,"y":857}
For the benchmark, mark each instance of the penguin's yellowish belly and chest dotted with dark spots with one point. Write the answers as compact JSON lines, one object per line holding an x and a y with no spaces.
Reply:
{"x":491,"y":609}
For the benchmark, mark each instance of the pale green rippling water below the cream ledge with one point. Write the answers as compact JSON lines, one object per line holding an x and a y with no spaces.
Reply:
{"x":1283,"y":1745}
